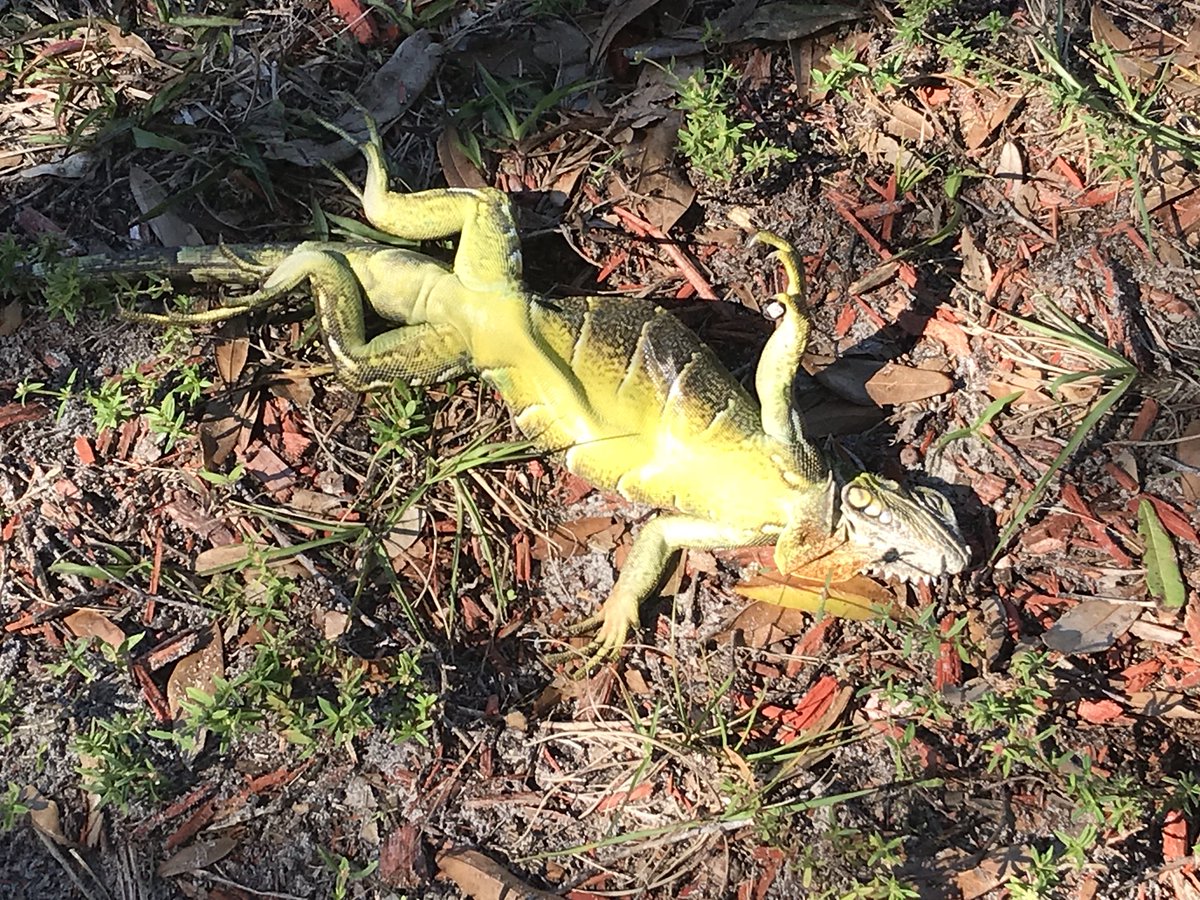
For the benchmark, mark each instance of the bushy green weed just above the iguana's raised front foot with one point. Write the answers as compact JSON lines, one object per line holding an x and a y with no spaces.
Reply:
{"x":711,"y":140}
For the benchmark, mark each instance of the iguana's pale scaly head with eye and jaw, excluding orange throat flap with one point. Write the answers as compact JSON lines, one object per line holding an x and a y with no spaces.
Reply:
{"x":899,"y":533}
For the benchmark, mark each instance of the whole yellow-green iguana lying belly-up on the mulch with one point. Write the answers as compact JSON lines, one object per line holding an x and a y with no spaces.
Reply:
{"x":621,"y":391}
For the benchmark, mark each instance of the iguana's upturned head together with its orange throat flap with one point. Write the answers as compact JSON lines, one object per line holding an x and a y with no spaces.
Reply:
{"x":879,"y":527}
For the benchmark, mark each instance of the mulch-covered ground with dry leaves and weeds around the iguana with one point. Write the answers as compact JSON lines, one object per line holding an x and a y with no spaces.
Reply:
{"x":265,"y":637}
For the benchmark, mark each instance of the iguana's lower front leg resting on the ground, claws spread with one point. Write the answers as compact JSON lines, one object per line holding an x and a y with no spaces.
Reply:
{"x":640,"y":577}
